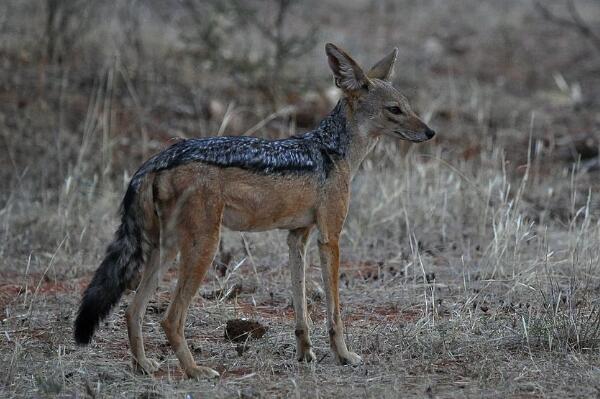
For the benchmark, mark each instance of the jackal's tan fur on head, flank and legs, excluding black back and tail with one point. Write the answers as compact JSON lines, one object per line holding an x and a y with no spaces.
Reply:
{"x":185,"y":208}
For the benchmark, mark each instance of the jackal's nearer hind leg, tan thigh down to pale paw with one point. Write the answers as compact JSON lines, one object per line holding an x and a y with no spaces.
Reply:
{"x":199,"y":233}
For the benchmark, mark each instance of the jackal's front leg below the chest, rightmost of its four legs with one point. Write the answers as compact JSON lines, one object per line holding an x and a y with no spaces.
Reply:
{"x":329,"y":251}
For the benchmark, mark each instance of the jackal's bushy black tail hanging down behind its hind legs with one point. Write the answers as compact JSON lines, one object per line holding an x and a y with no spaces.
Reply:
{"x":124,"y":257}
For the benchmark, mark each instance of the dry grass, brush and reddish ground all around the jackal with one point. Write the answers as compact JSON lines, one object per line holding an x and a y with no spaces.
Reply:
{"x":470,"y":264}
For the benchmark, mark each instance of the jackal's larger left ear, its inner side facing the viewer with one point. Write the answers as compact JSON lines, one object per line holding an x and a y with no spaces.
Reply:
{"x":348,"y":75}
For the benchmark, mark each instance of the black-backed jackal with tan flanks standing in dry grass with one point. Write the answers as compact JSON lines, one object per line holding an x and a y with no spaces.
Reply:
{"x":179,"y":199}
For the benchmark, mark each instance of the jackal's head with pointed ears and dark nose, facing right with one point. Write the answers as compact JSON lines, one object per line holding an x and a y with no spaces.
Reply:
{"x":377,"y":107}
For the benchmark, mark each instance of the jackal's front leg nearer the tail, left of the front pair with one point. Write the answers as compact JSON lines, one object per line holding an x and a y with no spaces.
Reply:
{"x":297,"y":242}
